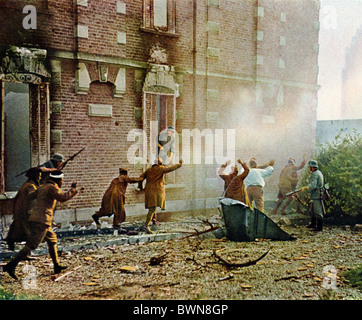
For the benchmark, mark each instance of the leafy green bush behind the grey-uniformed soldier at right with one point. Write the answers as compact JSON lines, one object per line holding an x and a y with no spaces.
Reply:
{"x":340,"y":162}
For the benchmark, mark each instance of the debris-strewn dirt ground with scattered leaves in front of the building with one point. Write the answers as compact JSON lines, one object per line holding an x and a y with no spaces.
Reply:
{"x":309,"y":268}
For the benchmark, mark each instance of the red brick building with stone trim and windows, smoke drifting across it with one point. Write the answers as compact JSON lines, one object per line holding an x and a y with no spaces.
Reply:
{"x":99,"y":74}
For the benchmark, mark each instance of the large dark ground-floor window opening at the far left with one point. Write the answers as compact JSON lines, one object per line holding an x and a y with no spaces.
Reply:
{"x":24,"y":130}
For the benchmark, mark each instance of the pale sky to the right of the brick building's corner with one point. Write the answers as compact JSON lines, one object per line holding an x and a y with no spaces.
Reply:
{"x":339,"y":22}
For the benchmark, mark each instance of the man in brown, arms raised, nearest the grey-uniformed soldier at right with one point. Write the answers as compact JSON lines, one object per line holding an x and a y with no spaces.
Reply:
{"x":288,"y":181}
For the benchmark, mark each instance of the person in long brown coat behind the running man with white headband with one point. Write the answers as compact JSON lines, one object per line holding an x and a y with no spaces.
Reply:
{"x":19,"y":228}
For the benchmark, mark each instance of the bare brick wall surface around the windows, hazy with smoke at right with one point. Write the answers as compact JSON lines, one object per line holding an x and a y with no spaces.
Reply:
{"x":240,"y":84}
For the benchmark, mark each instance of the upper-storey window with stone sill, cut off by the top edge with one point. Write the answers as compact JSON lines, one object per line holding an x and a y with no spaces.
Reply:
{"x":159,"y":16}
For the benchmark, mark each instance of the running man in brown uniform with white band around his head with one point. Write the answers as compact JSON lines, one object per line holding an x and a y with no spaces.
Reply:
{"x":41,"y":219}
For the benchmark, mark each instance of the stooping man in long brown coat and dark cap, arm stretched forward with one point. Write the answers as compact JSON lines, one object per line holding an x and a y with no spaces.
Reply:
{"x":114,"y":199}
